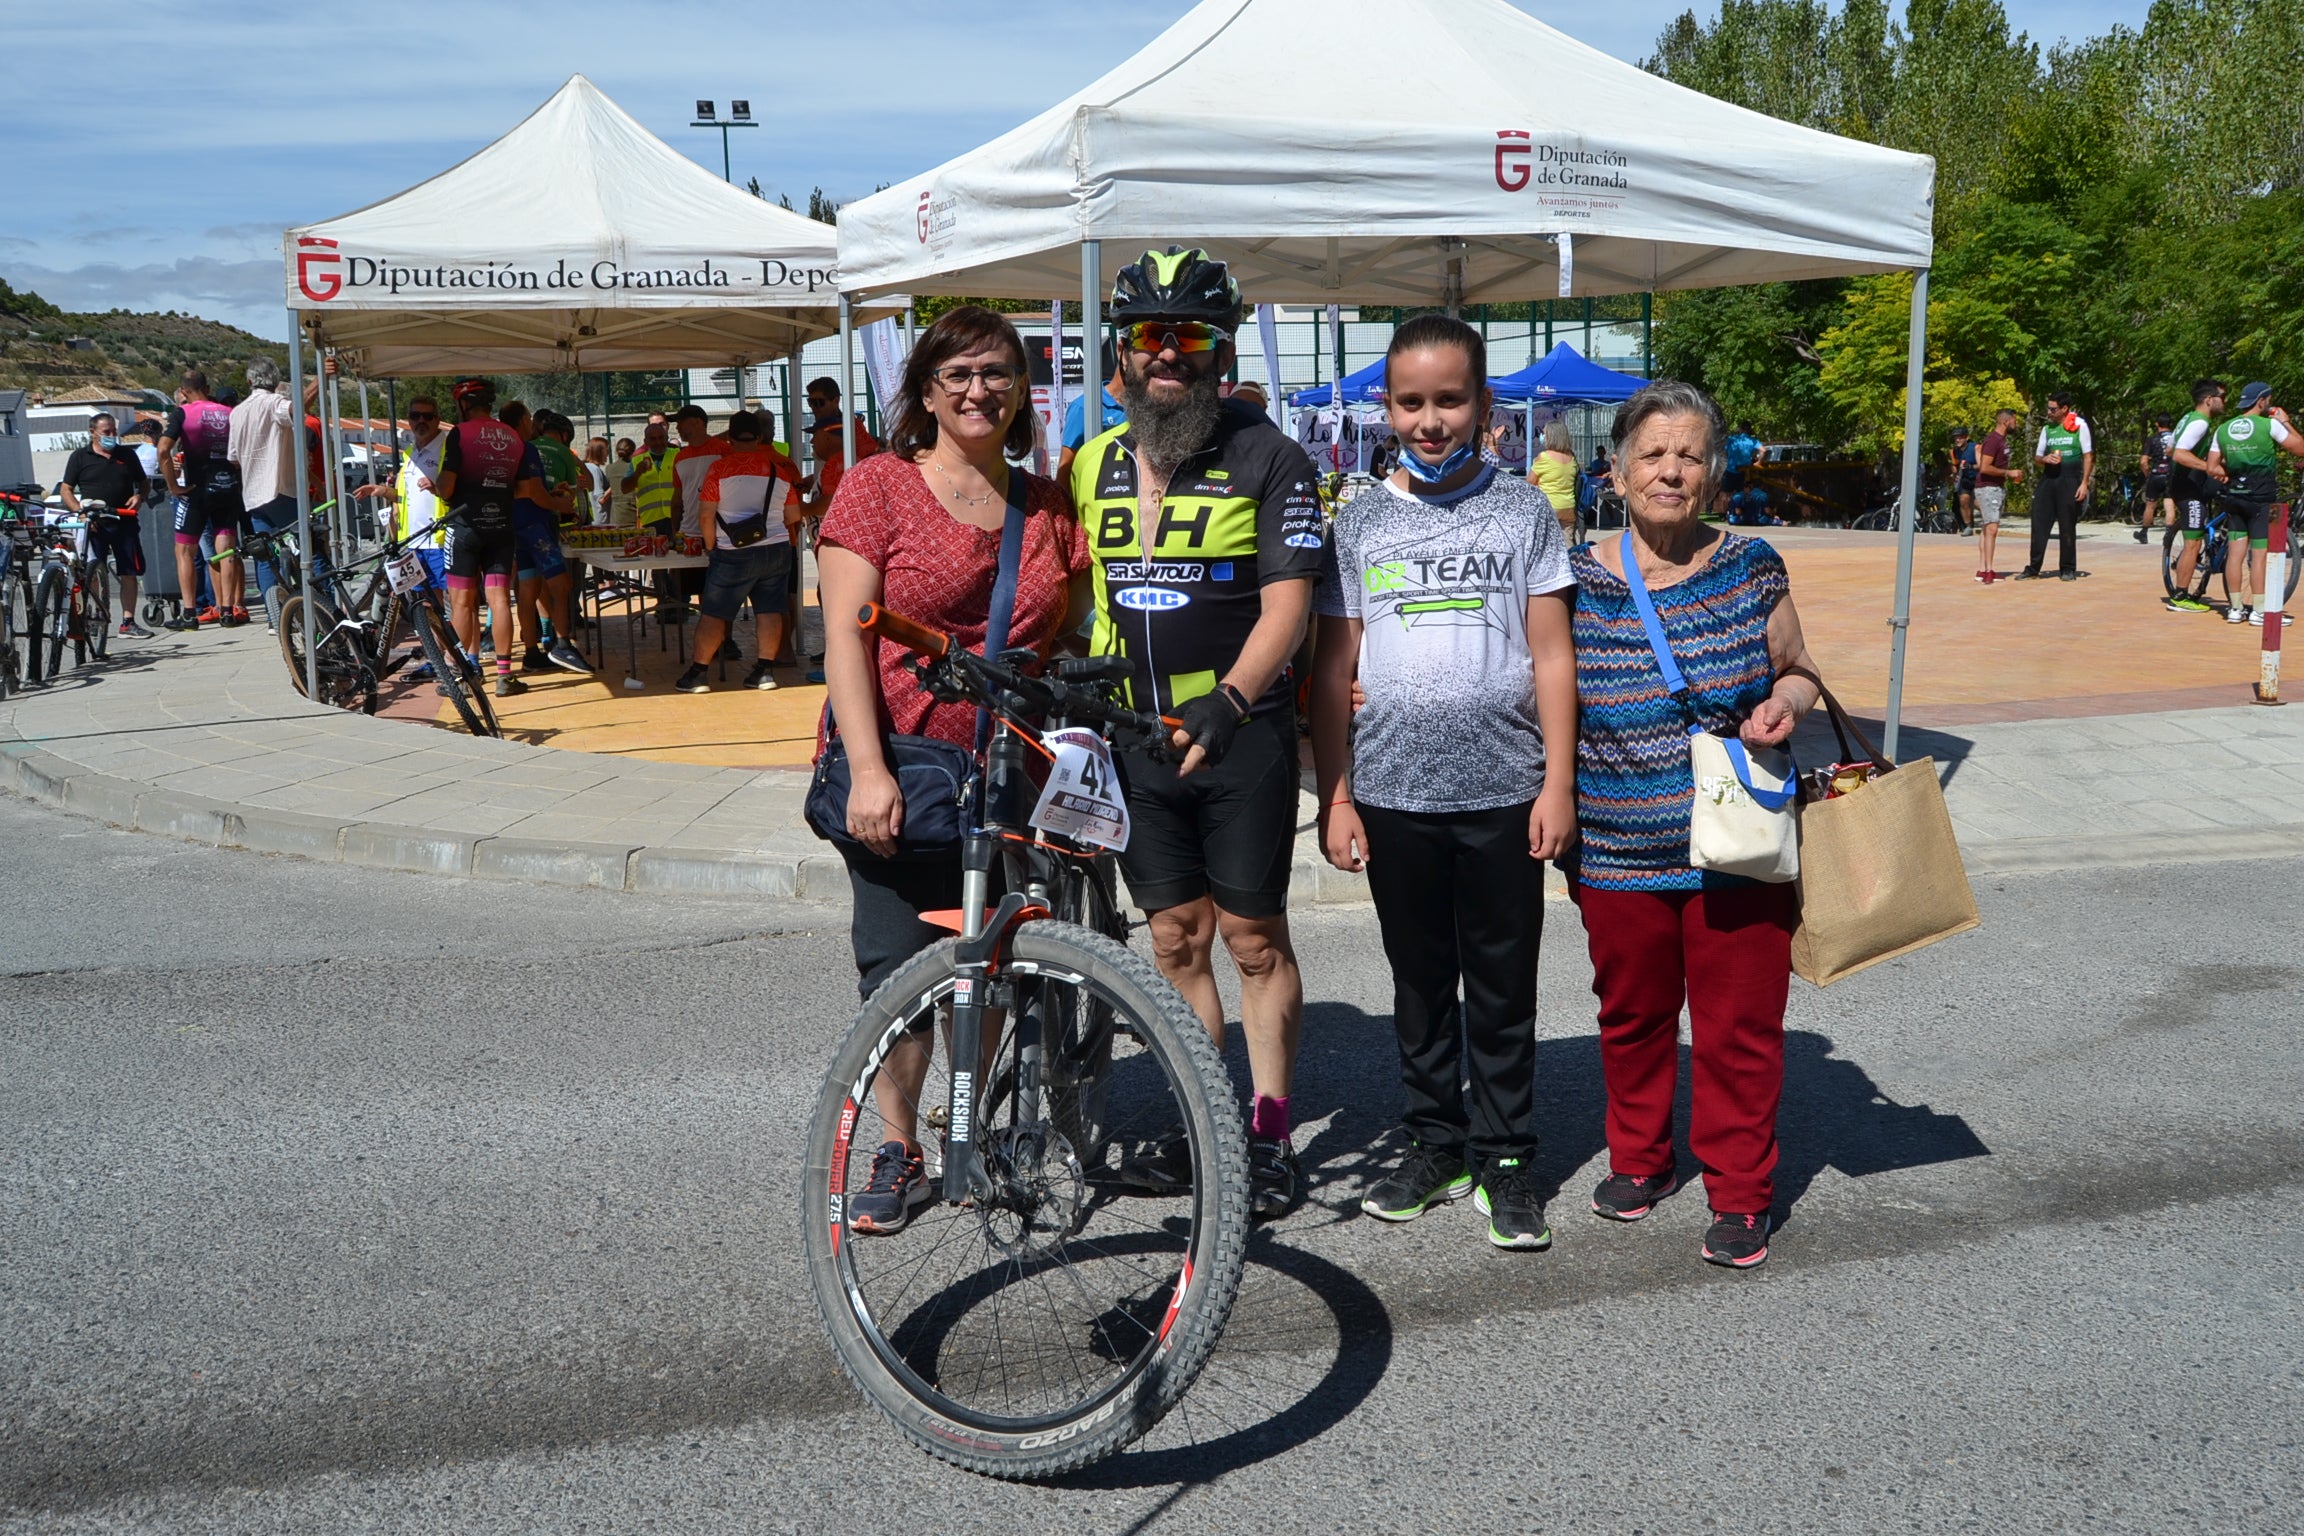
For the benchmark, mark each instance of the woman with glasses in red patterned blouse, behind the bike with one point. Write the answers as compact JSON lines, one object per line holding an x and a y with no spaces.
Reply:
{"x":918,"y":529}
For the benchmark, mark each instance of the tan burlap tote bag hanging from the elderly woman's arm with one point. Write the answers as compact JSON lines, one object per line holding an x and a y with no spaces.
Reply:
{"x":1879,"y":867}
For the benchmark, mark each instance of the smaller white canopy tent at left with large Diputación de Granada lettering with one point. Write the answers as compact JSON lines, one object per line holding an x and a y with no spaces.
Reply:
{"x":577,"y":241}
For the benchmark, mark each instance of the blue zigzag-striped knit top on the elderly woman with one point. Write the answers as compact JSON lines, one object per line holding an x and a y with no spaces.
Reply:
{"x":1632,"y":745}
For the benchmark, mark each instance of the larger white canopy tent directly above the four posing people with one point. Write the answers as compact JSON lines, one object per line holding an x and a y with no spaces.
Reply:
{"x":1453,"y":153}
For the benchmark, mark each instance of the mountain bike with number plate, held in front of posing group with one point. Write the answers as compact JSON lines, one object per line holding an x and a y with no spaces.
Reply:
{"x":1036,"y":1314}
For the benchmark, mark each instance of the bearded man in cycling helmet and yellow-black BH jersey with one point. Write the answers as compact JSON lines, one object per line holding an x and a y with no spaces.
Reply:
{"x":1206,"y":538}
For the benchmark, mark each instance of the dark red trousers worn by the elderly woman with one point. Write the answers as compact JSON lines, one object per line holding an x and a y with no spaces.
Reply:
{"x":1729,"y":957}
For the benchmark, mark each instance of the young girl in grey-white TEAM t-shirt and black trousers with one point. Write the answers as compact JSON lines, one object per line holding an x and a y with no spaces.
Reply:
{"x":1450,"y":595}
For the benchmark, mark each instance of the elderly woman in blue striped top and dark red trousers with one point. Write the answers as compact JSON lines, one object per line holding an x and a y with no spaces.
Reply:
{"x":1662,"y":932}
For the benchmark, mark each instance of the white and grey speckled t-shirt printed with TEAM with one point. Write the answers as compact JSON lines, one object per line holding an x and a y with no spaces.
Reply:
{"x":1441,"y":588}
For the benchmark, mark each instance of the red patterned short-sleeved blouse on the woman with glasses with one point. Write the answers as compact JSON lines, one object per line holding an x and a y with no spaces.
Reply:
{"x":941,"y":572}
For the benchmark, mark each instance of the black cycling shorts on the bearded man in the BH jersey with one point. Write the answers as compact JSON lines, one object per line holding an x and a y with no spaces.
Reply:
{"x":1227,"y":832}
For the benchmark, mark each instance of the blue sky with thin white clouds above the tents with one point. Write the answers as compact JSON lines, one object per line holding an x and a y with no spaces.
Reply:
{"x":172,"y":192}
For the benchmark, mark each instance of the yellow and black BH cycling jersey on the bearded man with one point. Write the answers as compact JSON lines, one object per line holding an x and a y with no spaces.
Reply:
{"x":1181,"y":604}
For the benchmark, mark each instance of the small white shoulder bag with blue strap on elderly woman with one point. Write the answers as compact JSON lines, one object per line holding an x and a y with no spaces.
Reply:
{"x":1745,"y":819}
